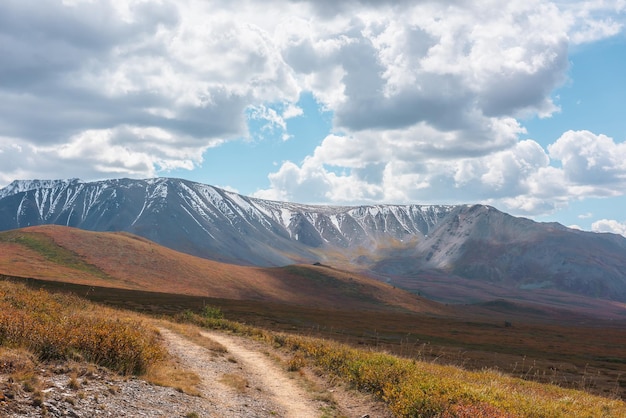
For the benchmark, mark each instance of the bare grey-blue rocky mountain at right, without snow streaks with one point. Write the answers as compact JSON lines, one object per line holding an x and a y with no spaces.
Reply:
{"x":480,"y":243}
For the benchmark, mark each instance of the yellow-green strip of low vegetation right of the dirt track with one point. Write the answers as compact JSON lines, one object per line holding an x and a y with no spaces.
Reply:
{"x":413,"y":388}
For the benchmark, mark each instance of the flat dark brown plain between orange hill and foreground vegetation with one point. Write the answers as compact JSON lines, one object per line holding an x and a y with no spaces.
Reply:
{"x":581,"y":357}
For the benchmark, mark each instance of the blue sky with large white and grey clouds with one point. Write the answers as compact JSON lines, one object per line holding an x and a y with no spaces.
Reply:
{"x":516,"y":104}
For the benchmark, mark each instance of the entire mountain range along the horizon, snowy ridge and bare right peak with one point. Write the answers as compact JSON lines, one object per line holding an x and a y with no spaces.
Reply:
{"x":475,"y":242}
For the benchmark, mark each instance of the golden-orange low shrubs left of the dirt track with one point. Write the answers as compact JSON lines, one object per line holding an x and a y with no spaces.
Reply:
{"x":55,"y":326}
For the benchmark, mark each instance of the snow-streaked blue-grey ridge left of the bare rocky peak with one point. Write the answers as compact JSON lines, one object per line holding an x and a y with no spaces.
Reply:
{"x":209,"y":222}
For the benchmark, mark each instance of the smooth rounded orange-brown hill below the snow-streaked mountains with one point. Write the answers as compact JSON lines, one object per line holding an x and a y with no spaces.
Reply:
{"x":122,"y":260}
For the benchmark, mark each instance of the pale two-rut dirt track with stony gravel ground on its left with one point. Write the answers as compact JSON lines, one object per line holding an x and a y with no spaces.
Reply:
{"x":240,"y":378}
